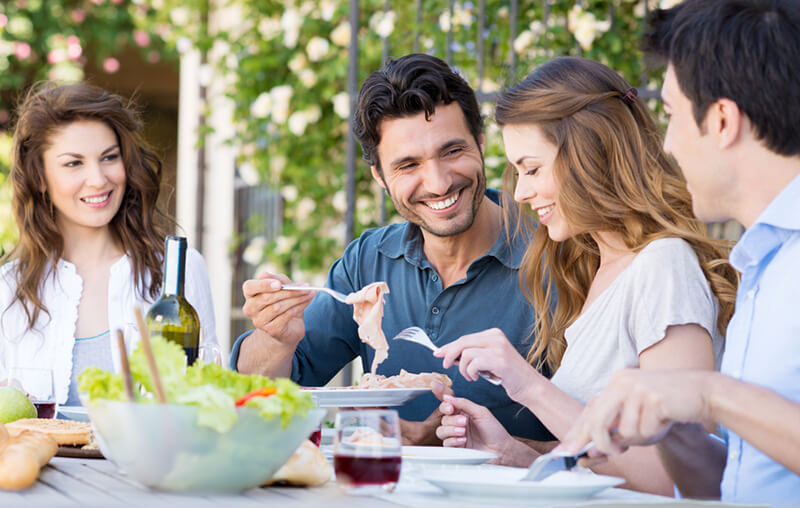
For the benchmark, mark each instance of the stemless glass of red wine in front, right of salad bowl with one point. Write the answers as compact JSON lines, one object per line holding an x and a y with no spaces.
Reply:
{"x":367,"y":450}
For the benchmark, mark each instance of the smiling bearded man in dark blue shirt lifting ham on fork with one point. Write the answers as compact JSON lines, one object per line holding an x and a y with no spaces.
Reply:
{"x":451,"y":267}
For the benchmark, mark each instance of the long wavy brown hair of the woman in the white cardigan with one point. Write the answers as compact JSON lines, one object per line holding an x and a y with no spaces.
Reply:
{"x":138,"y":226}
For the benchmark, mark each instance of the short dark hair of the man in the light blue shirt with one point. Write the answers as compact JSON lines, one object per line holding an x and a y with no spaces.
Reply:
{"x":747,"y":51}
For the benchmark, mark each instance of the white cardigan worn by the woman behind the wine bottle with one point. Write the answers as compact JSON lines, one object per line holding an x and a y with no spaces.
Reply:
{"x":50,"y":343}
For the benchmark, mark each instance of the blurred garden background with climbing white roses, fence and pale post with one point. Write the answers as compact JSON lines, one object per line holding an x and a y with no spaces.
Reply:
{"x":250,"y":101}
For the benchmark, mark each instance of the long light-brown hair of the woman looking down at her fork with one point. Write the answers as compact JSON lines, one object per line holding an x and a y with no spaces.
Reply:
{"x":612,"y":175}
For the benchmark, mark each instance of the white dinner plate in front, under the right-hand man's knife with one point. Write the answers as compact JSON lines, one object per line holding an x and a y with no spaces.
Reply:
{"x":503,"y":483}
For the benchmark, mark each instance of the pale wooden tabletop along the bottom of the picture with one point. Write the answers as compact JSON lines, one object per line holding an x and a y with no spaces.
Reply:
{"x":71,"y":482}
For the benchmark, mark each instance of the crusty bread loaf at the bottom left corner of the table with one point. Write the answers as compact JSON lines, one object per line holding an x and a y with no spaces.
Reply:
{"x":22,"y":456}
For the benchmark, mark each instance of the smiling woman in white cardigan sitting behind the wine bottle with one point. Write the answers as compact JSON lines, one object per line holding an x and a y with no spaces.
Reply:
{"x":85,"y":192}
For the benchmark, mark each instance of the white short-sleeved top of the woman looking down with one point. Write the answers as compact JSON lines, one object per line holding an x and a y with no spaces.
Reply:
{"x":663,"y":286}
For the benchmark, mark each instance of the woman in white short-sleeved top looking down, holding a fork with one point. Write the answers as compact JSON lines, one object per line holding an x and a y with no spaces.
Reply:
{"x":639,"y":281}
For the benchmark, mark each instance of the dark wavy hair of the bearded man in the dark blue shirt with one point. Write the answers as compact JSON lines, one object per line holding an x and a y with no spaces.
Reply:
{"x":410,"y":85}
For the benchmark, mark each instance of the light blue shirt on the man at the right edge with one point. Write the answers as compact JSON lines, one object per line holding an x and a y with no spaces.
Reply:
{"x":763,"y":341}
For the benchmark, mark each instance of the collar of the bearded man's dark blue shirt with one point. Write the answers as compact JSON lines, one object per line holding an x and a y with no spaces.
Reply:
{"x":410,"y":243}
